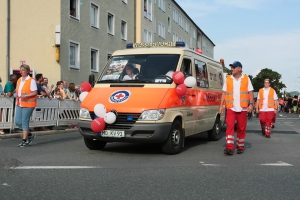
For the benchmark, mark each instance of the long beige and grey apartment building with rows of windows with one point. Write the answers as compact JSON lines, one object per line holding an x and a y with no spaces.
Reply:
{"x":69,"y":40}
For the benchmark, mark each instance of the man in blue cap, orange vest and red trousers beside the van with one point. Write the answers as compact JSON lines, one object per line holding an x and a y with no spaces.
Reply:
{"x":238,"y":96}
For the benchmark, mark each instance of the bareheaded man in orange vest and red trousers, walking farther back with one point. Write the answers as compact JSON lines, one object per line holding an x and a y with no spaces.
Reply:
{"x":268,"y":106}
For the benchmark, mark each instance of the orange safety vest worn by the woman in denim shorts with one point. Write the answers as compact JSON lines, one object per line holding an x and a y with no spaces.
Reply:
{"x":29,"y":102}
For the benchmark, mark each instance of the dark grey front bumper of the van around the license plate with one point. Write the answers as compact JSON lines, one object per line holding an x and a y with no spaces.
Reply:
{"x":134,"y":133}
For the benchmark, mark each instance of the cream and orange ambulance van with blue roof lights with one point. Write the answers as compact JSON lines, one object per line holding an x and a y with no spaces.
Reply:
{"x":144,"y":98}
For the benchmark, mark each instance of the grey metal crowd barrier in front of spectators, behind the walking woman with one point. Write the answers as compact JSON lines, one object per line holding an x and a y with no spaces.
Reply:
{"x":48,"y":112}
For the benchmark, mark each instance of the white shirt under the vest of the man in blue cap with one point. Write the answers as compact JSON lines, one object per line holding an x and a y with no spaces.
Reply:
{"x":236,"y":93}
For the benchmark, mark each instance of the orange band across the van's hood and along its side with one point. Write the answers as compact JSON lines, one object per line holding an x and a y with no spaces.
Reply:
{"x":140,"y":99}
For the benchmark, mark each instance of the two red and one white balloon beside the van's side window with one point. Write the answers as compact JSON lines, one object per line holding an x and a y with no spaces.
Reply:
{"x":182,"y":82}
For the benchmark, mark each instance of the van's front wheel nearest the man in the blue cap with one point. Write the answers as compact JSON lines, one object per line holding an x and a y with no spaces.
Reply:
{"x":175,"y":140}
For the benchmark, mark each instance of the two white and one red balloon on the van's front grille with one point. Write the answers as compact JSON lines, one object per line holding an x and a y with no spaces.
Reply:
{"x":102,"y":117}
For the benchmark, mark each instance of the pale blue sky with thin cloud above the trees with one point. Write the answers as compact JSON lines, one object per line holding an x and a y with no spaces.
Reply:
{"x":258,"y":33}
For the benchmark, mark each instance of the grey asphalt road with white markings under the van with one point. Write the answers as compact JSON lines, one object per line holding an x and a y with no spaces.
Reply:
{"x":61,"y":167}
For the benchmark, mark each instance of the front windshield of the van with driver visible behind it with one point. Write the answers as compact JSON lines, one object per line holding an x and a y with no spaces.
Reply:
{"x":142,"y":68}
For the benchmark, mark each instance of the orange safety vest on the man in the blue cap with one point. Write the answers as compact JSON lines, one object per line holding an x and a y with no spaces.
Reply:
{"x":244,"y":93}
